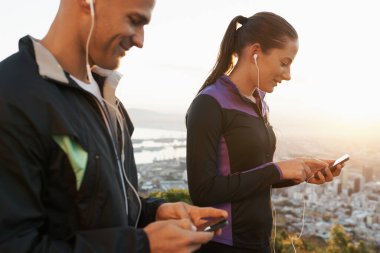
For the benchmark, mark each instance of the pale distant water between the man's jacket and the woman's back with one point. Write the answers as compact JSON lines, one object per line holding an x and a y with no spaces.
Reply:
{"x":157,"y":144}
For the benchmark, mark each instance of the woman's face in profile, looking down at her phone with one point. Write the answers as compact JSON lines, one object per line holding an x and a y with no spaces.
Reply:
{"x":275,"y":65}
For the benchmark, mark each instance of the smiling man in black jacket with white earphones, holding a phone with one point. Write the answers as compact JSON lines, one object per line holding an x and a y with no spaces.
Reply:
{"x":67,"y":172}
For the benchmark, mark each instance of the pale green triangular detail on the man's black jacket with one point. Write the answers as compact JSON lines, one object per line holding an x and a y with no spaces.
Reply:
{"x":75,"y":153}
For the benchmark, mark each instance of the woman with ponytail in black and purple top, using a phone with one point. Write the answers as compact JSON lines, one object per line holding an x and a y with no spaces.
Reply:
{"x":230,"y":143}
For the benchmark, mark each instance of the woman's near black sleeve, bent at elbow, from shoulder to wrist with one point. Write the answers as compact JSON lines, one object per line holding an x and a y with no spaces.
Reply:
{"x":206,"y":185}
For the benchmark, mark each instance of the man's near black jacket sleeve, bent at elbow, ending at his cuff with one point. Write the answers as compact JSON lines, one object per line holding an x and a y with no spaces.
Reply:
{"x":23,"y":219}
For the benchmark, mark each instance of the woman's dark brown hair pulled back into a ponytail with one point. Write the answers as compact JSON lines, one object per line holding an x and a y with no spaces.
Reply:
{"x":266,"y":28}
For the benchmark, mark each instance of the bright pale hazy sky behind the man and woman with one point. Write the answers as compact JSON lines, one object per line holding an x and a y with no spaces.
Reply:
{"x":334,"y":88}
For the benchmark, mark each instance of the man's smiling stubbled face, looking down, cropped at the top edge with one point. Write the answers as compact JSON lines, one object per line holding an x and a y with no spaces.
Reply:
{"x":119,"y":25}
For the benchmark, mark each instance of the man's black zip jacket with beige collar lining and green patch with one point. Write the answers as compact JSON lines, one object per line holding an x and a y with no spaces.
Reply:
{"x":61,"y":188}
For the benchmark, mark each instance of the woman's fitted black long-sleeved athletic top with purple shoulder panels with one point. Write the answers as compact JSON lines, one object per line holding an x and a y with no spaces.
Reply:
{"x":230,"y":147}
